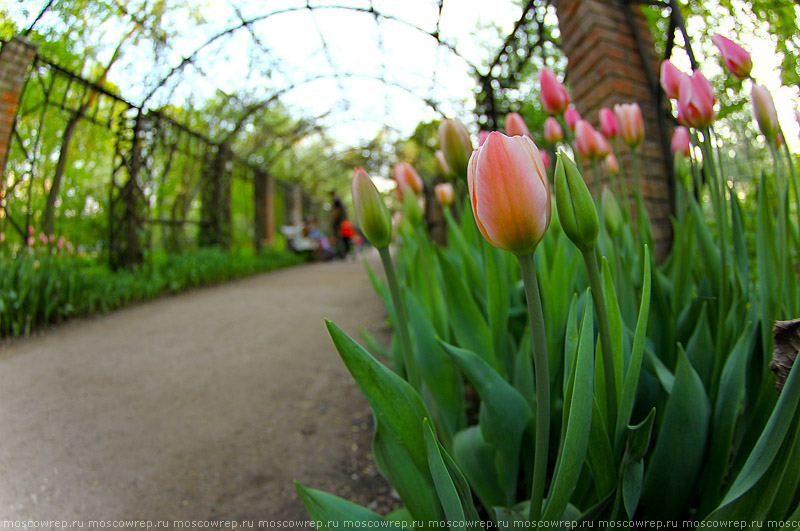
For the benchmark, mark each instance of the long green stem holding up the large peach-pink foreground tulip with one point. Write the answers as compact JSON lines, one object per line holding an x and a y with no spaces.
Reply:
{"x":542,"y":377}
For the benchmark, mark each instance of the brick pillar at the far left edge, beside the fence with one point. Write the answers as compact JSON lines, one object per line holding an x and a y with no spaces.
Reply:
{"x":16,"y":57}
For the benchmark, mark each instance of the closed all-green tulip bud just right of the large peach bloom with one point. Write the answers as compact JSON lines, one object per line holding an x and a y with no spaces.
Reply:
{"x":575,"y":205}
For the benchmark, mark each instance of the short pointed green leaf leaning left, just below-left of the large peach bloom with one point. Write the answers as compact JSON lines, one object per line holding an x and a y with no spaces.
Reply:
{"x":469,"y":326}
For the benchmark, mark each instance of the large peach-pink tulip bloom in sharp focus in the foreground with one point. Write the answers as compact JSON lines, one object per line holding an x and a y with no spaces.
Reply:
{"x":509,"y":193}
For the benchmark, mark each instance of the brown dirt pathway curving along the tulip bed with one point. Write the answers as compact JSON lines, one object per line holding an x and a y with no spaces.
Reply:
{"x":201,"y":406}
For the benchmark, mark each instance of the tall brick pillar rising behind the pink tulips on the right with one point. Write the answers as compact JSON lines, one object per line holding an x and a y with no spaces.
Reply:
{"x":605,"y":67}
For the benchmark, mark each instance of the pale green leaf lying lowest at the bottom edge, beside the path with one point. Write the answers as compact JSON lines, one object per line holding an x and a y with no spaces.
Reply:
{"x":332,"y":512}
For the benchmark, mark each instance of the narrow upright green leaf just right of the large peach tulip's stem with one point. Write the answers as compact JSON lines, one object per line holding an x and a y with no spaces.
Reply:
{"x":578,"y":403}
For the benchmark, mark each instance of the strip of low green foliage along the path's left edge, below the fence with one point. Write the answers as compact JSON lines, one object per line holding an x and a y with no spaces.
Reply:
{"x":37,"y":290}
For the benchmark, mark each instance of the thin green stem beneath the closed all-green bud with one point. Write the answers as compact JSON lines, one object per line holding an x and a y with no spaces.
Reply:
{"x":593,"y":270}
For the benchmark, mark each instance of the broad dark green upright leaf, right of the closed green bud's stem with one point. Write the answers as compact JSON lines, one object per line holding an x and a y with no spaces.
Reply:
{"x":680,"y":447}
